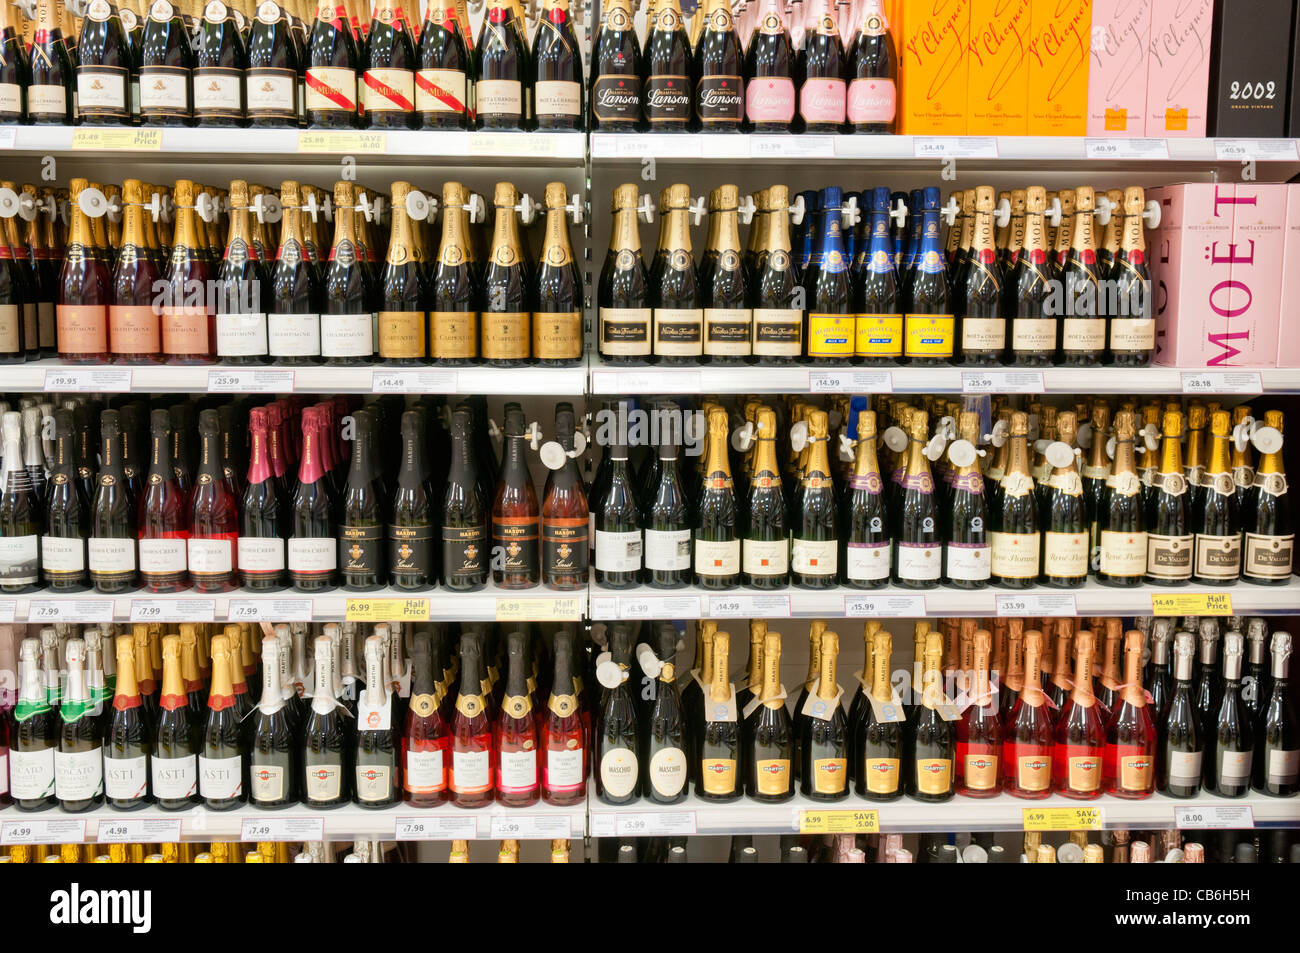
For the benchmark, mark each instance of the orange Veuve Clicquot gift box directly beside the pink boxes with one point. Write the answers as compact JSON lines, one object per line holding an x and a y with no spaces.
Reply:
{"x":1059,"y":67}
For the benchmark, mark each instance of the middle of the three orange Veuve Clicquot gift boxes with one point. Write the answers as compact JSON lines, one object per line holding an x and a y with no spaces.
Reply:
{"x":999,"y":68}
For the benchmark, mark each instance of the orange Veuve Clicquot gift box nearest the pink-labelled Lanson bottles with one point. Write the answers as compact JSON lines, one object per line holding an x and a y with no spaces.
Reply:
{"x":933,"y":66}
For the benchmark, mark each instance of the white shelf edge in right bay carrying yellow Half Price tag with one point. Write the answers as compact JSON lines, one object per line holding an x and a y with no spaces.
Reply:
{"x":692,"y":603}
